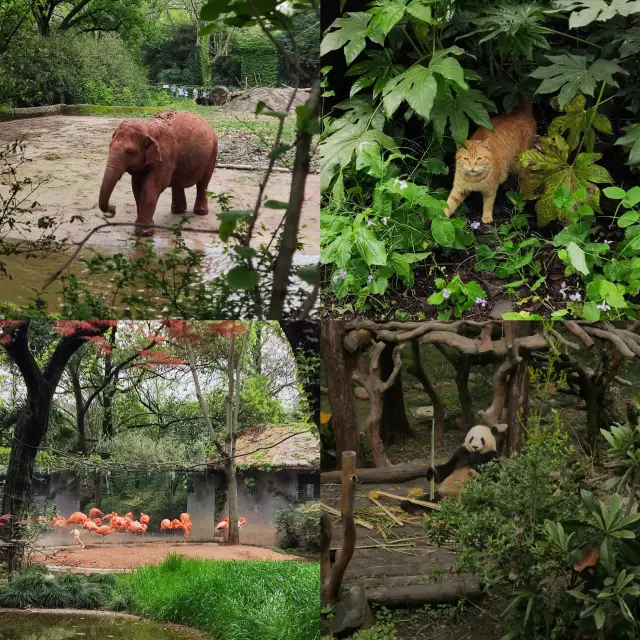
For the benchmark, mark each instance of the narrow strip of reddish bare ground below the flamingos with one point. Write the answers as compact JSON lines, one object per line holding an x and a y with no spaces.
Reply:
{"x":105,"y":556}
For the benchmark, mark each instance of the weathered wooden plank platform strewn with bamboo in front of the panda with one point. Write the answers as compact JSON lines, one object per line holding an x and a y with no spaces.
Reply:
{"x":415,"y":568}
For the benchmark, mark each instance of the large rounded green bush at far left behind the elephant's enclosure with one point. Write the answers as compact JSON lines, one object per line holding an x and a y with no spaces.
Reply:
{"x":71,"y":70}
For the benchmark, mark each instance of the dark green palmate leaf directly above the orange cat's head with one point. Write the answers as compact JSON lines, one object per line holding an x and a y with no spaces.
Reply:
{"x":458,"y":110}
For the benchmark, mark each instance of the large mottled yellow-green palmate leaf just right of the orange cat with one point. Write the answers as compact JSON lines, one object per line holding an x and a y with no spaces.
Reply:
{"x":549,"y":169}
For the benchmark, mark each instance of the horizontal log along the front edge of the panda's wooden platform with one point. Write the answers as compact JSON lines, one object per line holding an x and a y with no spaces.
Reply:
{"x":419,"y":594}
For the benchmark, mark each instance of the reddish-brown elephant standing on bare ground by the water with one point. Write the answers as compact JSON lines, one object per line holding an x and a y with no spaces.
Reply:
{"x":174,"y":149}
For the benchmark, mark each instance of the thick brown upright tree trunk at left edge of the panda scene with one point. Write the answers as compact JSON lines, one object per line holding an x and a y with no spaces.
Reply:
{"x":338,"y":376}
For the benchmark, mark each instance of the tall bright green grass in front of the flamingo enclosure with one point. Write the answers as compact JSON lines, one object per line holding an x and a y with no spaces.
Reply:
{"x":234,"y":600}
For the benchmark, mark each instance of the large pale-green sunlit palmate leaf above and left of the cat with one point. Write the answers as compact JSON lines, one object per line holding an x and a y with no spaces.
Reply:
{"x":418,"y":86}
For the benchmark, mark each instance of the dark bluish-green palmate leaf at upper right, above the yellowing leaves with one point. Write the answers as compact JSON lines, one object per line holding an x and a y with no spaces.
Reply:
{"x":570,"y":73}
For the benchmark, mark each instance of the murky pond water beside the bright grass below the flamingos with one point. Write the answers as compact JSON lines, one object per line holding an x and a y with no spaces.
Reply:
{"x":63,"y":626}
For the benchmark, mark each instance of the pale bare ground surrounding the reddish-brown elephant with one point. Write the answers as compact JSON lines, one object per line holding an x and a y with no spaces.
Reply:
{"x":69,"y":154}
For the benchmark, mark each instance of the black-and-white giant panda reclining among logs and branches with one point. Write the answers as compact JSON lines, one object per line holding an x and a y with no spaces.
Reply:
{"x":480,"y":446}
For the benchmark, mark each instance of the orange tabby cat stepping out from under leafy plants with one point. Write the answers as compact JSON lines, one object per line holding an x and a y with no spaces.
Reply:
{"x":490,"y":156}
